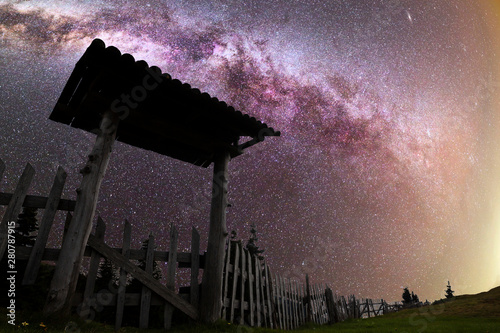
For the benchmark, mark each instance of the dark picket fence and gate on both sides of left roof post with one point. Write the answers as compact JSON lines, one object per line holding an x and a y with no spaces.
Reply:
{"x":96,"y":249}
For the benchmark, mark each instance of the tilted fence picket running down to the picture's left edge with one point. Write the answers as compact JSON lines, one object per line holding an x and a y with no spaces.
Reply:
{"x":14,"y":206}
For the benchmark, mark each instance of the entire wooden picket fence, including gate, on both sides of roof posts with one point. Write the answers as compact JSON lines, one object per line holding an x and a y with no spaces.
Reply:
{"x":251,"y":294}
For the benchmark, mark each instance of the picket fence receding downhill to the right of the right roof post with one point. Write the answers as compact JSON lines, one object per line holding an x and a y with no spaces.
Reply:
{"x":253,"y":296}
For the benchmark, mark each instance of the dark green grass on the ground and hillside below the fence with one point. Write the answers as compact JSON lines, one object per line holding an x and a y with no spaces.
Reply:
{"x":467,"y":313}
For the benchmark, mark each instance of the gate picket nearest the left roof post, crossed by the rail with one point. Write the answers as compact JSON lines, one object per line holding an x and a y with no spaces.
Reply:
{"x":95,"y":259}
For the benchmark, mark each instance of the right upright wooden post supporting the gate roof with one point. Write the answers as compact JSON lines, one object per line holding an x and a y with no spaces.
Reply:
{"x":211,"y":302}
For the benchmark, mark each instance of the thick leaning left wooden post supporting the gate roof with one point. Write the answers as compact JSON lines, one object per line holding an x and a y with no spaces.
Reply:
{"x":65,"y":277}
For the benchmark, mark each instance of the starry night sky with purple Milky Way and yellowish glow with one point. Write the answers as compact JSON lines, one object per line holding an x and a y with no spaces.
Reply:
{"x":387,"y":172}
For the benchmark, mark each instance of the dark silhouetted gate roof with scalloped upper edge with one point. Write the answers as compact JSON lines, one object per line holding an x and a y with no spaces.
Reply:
{"x":157,"y":112}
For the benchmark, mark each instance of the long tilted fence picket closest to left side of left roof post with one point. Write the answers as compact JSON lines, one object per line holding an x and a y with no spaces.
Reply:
{"x":44,"y":229}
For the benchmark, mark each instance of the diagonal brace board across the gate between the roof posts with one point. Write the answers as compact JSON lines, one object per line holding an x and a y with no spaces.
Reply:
{"x":144,"y":278}
